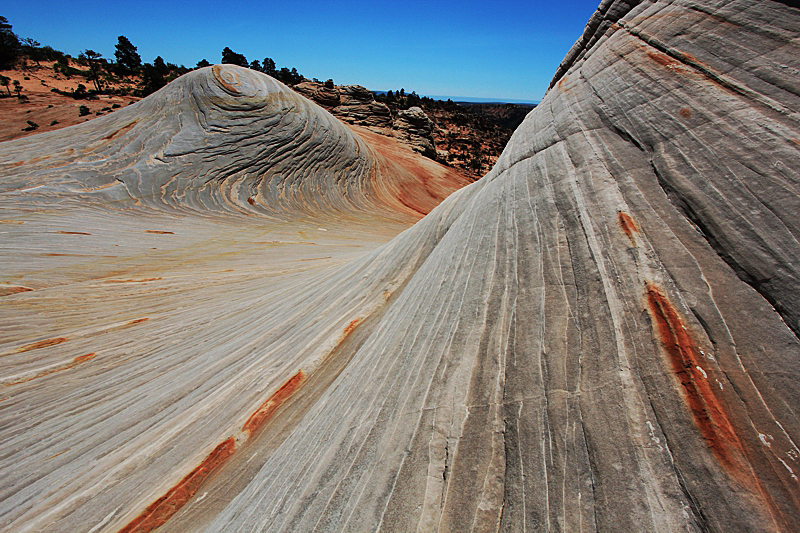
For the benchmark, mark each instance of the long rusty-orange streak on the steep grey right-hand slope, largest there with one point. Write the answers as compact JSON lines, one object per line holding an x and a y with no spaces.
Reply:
{"x":708,"y":412}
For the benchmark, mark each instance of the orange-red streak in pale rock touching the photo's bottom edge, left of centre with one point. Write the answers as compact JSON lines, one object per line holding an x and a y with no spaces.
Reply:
{"x":161,"y":510}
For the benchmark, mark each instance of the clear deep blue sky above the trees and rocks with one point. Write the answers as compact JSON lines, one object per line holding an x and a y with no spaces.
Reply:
{"x":480,"y":48}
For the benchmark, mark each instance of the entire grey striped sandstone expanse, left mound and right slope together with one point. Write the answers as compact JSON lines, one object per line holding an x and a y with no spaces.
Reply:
{"x":600,"y":334}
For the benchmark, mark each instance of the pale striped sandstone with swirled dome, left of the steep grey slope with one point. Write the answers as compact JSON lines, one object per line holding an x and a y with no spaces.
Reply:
{"x":189,"y":238}
